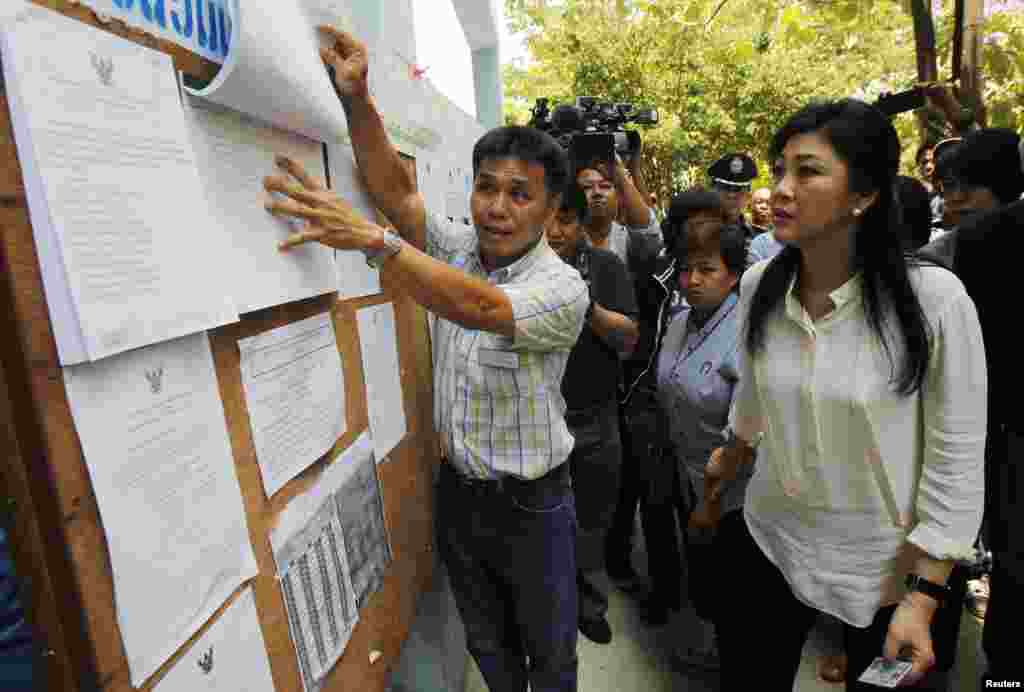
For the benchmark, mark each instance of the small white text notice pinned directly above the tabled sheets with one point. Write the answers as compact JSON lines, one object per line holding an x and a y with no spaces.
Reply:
{"x":295,"y":392}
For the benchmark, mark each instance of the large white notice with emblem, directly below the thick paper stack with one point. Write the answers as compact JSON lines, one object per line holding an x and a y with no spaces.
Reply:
{"x":153,"y":429}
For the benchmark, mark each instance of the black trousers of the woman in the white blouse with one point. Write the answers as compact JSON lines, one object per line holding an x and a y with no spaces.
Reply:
{"x":762,"y":621}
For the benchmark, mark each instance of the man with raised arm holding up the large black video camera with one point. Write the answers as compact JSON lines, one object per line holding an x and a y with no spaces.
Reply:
{"x":610,"y":193}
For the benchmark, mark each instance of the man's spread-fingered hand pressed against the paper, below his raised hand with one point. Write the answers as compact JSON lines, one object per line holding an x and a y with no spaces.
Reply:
{"x":332,"y":221}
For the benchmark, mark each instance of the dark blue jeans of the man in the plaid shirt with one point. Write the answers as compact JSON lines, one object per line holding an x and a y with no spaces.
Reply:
{"x":510,"y":552}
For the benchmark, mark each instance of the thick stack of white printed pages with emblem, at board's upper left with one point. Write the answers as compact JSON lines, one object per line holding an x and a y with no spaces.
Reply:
{"x":120,"y":221}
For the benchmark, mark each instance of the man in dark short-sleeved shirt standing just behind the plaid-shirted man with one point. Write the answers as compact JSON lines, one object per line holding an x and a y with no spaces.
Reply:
{"x":590,"y":388}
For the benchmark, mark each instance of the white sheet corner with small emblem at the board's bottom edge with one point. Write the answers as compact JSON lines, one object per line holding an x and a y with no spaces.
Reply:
{"x":231,"y":657}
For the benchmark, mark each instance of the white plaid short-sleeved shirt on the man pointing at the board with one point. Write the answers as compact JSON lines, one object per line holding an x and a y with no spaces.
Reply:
{"x":505,"y":415}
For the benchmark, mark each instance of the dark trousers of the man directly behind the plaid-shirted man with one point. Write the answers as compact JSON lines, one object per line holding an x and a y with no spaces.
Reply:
{"x":595,"y":463}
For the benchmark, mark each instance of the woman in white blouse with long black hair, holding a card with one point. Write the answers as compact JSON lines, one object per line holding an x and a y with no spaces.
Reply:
{"x":865,"y":395}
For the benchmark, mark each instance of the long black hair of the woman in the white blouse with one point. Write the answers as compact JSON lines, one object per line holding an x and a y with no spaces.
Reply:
{"x":867,"y":142}
